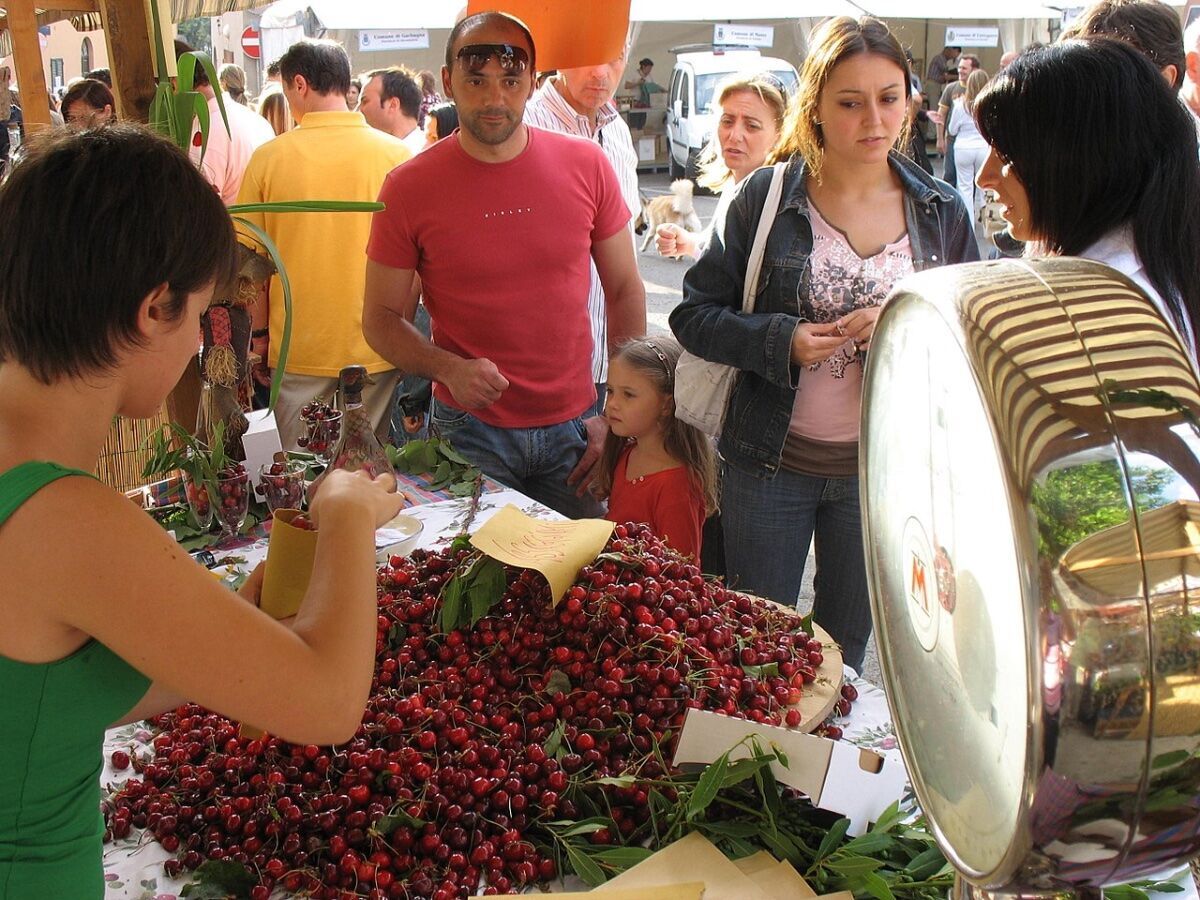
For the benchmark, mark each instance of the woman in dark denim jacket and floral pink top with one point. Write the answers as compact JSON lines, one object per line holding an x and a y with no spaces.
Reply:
{"x":855,"y":217}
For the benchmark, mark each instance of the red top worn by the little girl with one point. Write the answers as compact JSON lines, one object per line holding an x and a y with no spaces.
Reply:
{"x":668,"y":501}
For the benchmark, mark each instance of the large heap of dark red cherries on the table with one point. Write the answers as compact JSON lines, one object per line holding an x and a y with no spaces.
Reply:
{"x":475,"y":741}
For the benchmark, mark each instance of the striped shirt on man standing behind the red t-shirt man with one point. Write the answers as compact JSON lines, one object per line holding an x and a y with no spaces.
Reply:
{"x":549,"y":110}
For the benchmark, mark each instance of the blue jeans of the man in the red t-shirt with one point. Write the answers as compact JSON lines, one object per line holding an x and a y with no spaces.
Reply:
{"x":535,"y":461}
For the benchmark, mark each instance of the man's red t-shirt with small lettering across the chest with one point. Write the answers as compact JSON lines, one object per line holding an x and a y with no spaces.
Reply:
{"x":505,"y":253}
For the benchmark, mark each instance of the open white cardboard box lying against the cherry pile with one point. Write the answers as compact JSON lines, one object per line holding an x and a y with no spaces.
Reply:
{"x":836,"y":775}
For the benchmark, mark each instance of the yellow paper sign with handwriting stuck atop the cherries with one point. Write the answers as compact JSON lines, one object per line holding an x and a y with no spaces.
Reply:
{"x":557,"y":550}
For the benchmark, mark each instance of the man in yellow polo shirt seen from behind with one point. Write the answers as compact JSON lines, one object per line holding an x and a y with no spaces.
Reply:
{"x":332,"y":155}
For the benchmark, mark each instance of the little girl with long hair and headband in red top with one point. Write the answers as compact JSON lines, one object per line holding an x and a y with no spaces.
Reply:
{"x":656,"y":469}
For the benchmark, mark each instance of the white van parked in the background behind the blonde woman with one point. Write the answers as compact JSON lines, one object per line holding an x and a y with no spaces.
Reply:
{"x":692,"y":103}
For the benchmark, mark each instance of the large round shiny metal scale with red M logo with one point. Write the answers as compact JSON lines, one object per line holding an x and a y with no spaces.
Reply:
{"x":1030,"y":476}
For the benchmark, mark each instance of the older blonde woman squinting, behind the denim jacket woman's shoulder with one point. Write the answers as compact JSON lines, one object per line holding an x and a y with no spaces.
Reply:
{"x":753,"y":109}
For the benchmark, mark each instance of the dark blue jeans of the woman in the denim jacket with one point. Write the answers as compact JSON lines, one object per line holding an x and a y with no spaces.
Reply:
{"x":770,"y":525}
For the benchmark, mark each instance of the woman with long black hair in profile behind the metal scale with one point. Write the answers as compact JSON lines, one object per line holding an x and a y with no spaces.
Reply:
{"x":1072,"y":190}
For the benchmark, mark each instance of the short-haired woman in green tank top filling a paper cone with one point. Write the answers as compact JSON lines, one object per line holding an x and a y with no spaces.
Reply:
{"x":112,"y":621}
